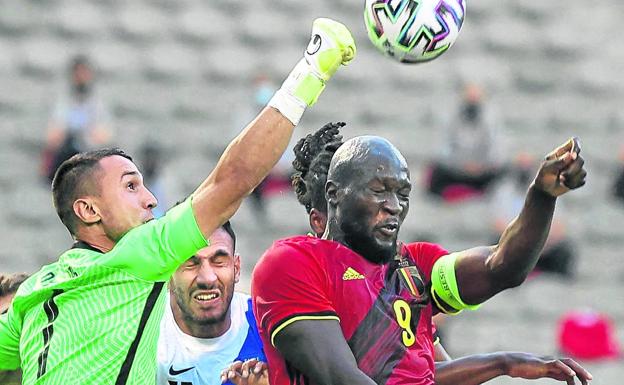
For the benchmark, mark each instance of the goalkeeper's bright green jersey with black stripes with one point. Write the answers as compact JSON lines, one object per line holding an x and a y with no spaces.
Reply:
{"x":93,"y":318}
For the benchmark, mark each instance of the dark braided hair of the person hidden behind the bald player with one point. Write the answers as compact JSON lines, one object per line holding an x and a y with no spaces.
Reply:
{"x":313,"y":155}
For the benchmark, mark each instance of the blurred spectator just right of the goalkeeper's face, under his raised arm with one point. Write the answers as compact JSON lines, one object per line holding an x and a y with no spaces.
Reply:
{"x":151,"y":157}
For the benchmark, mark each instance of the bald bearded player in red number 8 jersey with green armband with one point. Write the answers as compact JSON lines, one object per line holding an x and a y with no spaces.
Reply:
{"x":381,"y":292}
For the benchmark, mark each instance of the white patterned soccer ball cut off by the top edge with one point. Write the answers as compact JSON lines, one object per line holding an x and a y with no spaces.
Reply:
{"x":414,"y":31}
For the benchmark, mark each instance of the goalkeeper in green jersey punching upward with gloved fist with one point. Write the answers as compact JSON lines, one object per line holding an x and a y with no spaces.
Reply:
{"x":93,"y":316}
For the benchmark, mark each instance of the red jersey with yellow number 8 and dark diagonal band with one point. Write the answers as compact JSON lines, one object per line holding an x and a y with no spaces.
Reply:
{"x":384,"y":310}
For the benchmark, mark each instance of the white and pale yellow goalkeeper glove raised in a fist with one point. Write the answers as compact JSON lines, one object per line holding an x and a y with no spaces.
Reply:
{"x":330,"y":46}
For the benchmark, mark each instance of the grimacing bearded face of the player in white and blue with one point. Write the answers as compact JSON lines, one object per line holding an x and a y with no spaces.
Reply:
{"x":202,"y":288}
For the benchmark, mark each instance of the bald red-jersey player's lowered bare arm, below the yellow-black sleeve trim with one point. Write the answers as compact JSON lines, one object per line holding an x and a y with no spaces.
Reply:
{"x":319,"y":351}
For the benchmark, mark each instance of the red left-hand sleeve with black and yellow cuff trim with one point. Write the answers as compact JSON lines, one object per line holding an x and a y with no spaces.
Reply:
{"x":289,"y":285}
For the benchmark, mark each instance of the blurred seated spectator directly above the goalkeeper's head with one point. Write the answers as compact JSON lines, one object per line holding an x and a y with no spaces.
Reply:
{"x":80,"y":120}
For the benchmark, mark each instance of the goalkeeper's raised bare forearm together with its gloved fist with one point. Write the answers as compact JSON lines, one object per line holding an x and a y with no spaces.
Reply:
{"x":252,"y":154}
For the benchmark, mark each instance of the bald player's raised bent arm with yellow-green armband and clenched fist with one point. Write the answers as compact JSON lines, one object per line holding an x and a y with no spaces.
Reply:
{"x":475,"y":275}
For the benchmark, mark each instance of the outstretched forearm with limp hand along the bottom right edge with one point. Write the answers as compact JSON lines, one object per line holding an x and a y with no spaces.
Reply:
{"x":477,"y":369}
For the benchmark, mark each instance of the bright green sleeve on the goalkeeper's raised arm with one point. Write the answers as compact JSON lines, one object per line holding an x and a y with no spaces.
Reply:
{"x":154,"y":251}
